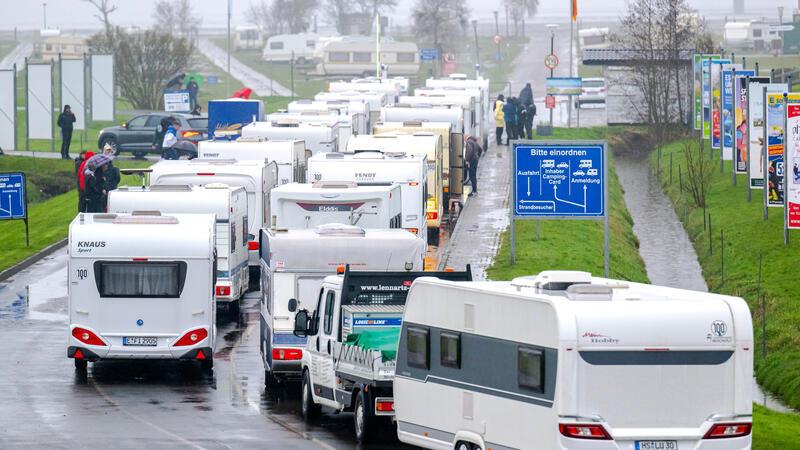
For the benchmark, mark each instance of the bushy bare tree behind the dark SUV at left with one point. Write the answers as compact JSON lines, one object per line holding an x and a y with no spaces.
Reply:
{"x":144,"y":62}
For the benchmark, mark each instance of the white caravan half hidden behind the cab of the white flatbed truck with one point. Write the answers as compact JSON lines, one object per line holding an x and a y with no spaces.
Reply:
{"x":293,"y":265}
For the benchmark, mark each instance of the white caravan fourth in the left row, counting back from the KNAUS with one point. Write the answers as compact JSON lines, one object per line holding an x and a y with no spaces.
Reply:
{"x":290,"y":155}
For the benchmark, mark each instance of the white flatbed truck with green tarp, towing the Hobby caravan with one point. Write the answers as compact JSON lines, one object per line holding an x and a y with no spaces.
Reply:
{"x":360,"y":313}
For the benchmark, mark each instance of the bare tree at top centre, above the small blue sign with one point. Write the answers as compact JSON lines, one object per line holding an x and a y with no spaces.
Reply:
{"x":440,"y":22}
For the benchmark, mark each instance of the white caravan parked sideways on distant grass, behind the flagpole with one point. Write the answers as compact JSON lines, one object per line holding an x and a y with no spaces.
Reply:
{"x":356,"y":57}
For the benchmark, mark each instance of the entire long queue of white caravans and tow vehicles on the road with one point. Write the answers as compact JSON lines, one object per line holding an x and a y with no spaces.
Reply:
{"x":339,"y":236}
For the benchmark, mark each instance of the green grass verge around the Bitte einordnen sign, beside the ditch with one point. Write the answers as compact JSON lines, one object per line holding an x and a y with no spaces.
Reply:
{"x":576,"y":244}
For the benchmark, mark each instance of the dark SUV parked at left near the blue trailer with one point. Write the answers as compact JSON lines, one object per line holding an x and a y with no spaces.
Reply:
{"x":136,"y":136}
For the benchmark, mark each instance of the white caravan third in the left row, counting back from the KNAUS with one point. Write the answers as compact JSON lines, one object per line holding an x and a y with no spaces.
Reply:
{"x":257,"y":178}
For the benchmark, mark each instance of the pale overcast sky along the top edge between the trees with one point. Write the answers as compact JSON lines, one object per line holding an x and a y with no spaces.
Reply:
{"x":79,"y":14}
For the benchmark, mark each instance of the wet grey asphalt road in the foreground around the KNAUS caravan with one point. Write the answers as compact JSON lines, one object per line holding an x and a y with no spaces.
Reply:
{"x":155,"y":404}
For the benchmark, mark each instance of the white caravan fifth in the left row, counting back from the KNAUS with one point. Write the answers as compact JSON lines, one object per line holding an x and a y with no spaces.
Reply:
{"x":319,"y":137}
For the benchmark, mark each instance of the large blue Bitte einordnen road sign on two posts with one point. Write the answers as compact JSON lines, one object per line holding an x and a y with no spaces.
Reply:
{"x":559,"y":180}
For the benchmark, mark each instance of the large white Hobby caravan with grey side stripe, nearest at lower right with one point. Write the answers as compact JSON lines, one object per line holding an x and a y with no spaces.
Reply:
{"x":566,"y":360}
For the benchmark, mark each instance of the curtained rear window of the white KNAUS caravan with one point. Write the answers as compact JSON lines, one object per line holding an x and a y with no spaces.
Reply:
{"x":140,"y":279}
